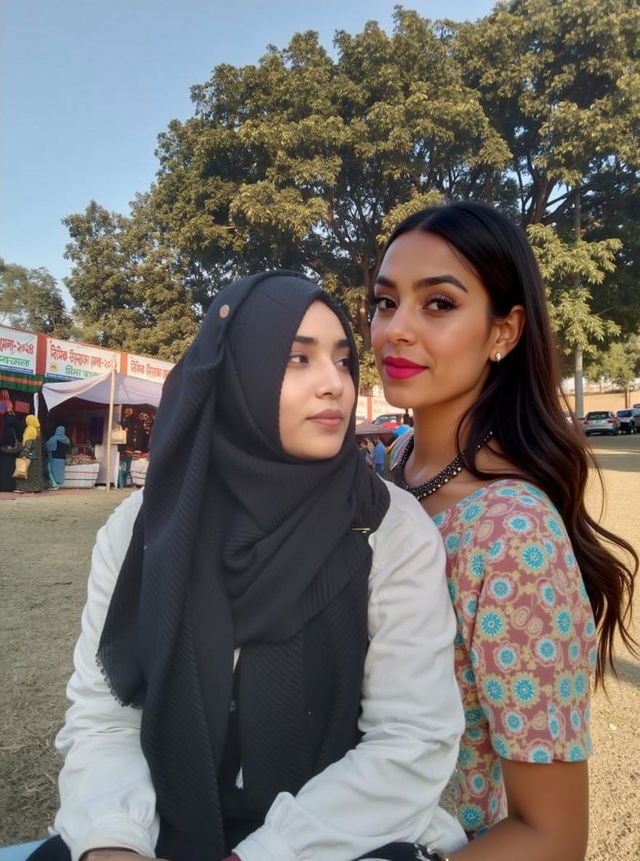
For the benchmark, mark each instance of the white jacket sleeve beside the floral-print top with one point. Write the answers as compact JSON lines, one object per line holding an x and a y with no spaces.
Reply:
{"x":389,"y":786}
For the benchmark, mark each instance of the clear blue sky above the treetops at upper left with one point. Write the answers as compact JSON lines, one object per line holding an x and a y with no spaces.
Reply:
{"x":87,"y":85}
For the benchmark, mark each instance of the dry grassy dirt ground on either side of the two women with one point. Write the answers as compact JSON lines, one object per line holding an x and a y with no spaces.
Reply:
{"x":46,"y":544}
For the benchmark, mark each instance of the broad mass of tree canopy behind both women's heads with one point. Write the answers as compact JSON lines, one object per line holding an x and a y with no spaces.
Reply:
{"x":306,"y":160}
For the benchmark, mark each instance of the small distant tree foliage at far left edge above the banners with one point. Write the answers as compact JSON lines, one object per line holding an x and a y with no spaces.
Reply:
{"x":30,"y":299}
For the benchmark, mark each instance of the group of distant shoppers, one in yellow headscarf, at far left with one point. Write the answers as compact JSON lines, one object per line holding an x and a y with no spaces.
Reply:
{"x":29,"y":463}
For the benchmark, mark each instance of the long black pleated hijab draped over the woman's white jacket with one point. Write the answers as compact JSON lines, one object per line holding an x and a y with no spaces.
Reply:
{"x":240,"y":544}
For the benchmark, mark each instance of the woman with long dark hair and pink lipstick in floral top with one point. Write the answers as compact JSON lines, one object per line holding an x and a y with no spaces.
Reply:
{"x":462,"y":336}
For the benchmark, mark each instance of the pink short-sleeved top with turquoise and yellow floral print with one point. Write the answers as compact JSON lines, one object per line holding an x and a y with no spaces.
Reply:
{"x":526,"y":642}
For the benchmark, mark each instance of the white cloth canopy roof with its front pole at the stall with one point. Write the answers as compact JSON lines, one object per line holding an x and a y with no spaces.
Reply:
{"x":110,"y":388}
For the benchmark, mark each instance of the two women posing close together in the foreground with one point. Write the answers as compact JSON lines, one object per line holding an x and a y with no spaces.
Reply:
{"x":284,"y":656}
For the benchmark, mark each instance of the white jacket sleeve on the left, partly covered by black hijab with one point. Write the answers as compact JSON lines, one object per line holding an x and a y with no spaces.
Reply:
{"x":106,"y":794}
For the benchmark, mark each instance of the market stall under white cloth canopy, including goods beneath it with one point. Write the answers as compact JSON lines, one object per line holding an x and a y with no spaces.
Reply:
{"x":110,"y":417}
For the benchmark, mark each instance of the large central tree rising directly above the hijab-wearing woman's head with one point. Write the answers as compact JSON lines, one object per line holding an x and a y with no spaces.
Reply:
{"x":295,"y":161}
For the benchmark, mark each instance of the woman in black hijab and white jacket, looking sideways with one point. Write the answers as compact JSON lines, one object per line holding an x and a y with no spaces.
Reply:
{"x":274,"y":667}
